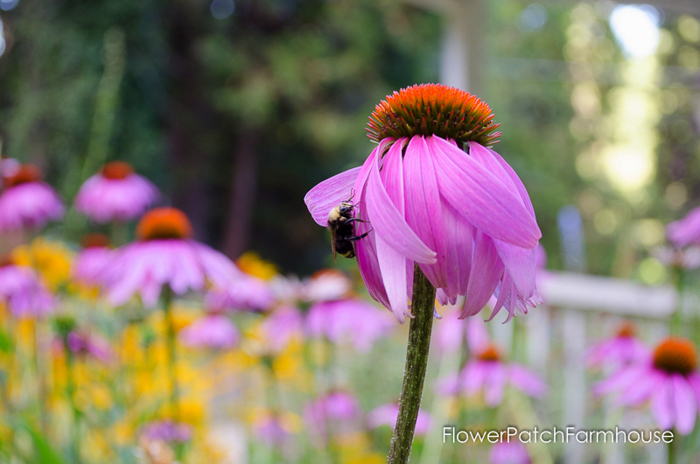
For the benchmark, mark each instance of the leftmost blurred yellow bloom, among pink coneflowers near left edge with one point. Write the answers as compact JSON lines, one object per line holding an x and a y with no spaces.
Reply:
{"x":51,"y":258}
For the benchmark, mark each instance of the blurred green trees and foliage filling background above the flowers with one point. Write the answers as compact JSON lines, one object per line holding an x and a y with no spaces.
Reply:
{"x":236,"y":108}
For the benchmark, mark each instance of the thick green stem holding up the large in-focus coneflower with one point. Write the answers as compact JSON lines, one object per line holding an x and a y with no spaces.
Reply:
{"x":421,"y":325}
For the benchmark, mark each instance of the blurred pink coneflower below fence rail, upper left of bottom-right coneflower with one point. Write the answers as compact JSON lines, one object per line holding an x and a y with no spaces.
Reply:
{"x":623,"y":349}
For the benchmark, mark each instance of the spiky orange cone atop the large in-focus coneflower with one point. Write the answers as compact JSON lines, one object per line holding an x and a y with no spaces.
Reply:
{"x":433,"y":109}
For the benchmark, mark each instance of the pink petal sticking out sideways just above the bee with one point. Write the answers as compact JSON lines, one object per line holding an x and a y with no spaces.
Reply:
{"x":325,"y":196}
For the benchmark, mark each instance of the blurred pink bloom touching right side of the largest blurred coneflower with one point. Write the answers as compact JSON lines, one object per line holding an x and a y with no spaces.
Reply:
{"x":247,"y":293}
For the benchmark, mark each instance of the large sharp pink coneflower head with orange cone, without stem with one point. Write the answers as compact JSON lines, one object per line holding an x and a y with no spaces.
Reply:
{"x":427,"y":200}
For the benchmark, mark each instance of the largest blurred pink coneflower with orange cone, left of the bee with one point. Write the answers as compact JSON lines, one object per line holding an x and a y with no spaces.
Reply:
{"x":165,"y":255}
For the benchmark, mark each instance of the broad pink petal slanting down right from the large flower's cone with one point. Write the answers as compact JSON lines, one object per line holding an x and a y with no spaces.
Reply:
{"x":492,"y":207}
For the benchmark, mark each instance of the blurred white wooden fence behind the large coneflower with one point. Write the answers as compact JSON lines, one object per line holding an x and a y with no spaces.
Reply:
{"x":579,"y":310}
